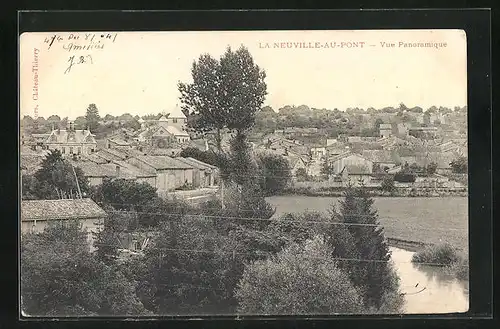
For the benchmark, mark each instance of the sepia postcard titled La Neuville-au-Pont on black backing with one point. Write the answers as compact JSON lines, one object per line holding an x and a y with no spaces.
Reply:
{"x":243,"y":173}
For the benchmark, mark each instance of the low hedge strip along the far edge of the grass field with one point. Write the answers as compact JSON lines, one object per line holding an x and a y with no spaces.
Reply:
{"x":377,"y":192}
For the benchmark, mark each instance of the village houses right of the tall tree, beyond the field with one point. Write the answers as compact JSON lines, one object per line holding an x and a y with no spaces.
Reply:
{"x":355,"y":158}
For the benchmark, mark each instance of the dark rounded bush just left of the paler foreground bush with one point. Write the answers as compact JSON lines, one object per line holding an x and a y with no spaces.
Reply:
{"x":189,"y":269}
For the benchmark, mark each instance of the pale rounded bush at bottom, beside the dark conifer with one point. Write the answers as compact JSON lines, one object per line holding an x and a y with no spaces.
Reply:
{"x":298,"y":280}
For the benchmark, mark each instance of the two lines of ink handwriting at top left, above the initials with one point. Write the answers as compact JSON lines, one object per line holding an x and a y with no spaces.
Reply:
{"x":80,"y":41}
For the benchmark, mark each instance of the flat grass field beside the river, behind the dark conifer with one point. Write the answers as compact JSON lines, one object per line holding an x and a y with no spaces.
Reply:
{"x":427,"y":220}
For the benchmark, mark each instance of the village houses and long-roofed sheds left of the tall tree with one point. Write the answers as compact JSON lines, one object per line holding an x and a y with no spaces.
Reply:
{"x":117,"y":157}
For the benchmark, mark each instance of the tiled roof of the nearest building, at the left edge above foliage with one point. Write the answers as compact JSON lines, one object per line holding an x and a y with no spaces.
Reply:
{"x":60,"y":209}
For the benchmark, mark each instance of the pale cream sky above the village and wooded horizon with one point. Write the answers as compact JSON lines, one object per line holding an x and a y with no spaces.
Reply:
{"x":138,"y":72}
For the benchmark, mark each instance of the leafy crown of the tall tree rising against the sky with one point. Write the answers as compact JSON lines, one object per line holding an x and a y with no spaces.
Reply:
{"x":225,"y":93}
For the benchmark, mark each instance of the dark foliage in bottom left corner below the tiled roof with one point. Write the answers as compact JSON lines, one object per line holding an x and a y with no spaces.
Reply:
{"x":60,"y":277}
